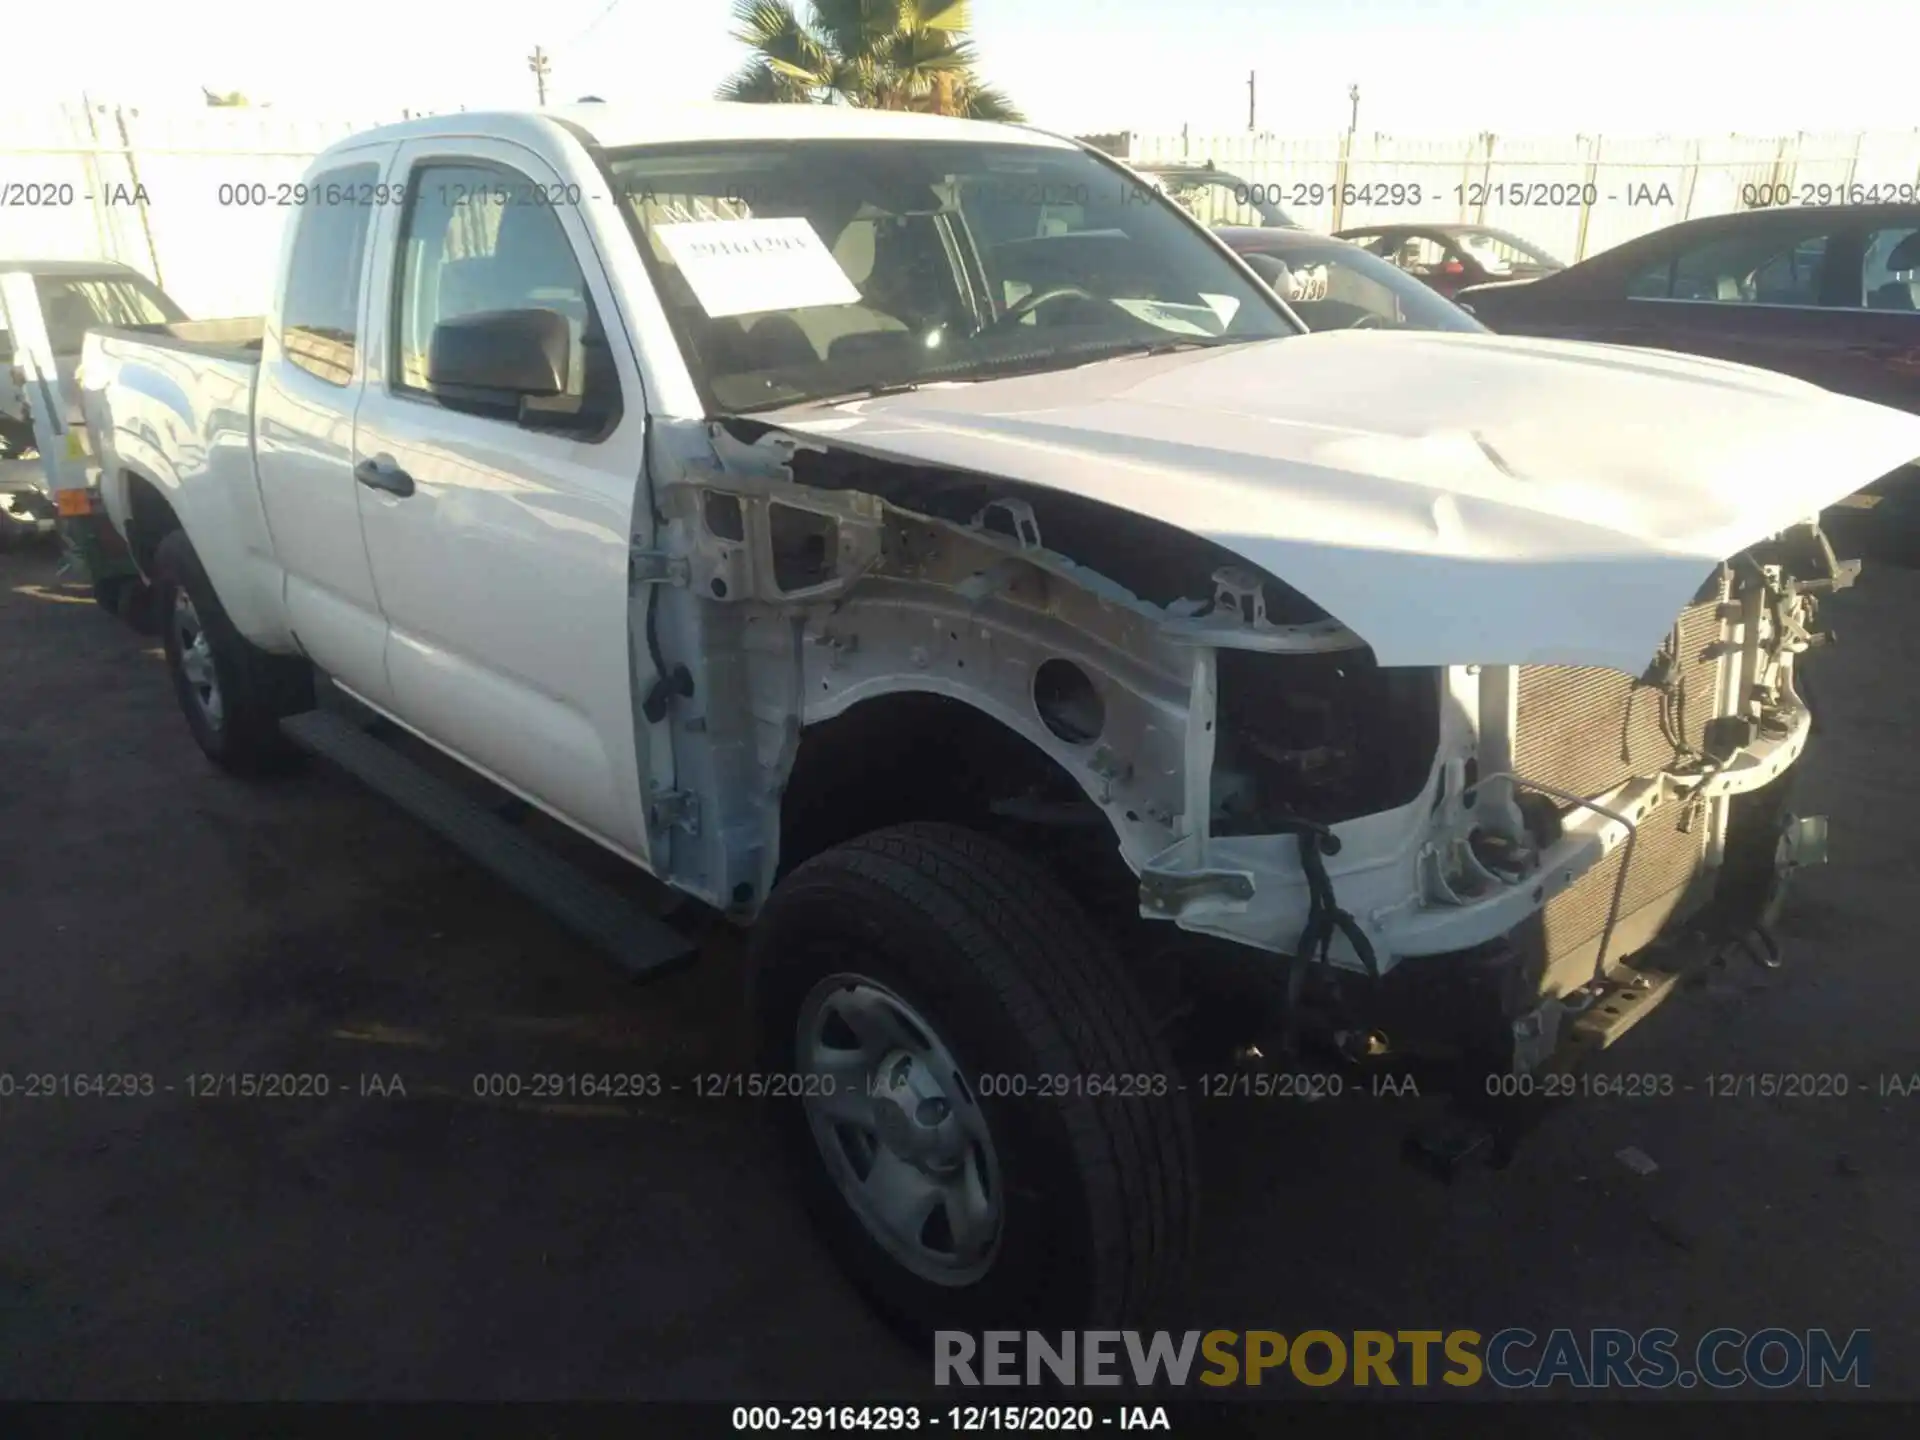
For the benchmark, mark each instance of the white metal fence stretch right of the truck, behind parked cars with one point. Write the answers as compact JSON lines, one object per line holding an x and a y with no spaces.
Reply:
{"x":1573,"y":197}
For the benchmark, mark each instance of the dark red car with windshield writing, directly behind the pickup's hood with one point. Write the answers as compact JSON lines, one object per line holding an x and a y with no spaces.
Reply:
{"x":1333,"y":285}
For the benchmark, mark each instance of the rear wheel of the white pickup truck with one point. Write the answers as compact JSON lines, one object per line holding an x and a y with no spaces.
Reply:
{"x":231,"y":692}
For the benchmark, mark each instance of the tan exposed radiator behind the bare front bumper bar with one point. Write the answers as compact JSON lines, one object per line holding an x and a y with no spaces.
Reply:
{"x":1589,"y":731}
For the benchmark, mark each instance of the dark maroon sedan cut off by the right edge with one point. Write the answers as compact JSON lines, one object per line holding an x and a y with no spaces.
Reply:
{"x":1829,"y":295}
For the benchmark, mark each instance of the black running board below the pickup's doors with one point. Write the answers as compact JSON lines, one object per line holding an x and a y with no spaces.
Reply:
{"x":642,"y":944}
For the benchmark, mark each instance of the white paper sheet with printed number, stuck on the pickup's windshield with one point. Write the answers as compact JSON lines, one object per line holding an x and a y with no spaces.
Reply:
{"x":742,"y":268}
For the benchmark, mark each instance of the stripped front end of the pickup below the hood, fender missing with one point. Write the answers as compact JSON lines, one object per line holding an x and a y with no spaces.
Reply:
{"x":1308,"y":853}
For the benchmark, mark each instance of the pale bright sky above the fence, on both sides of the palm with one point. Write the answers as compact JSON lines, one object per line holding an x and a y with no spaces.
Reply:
{"x":1076,"y":66}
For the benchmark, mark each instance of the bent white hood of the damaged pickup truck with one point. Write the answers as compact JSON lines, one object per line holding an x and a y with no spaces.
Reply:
{"x":1452,"y":498}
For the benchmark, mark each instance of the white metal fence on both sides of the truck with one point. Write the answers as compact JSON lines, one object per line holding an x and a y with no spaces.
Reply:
{"x":197,"y":199}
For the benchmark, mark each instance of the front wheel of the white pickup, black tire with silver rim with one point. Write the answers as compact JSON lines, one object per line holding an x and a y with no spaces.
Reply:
{"x":984,"y":1122}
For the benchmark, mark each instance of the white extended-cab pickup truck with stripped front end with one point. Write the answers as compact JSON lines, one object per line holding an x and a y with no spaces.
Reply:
{"x":926,"y":544}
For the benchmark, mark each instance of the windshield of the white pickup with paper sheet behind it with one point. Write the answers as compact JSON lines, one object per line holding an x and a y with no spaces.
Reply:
{"x":830,"y":268}
